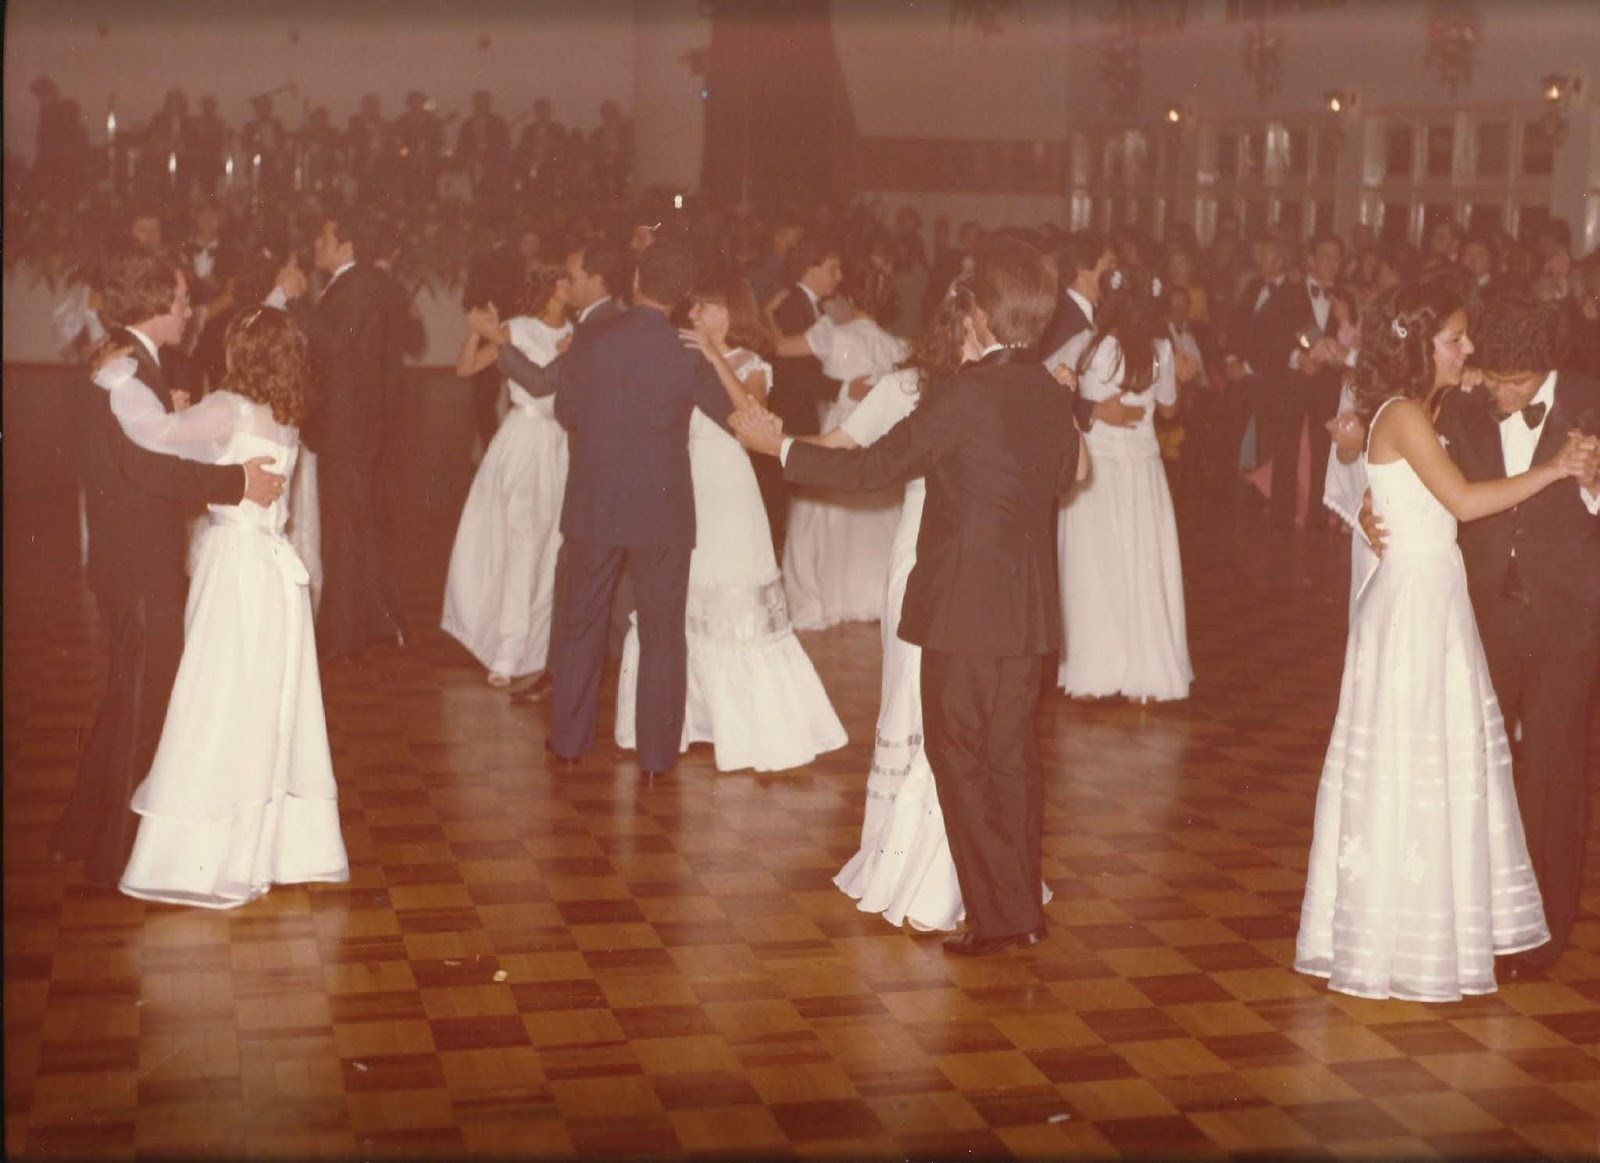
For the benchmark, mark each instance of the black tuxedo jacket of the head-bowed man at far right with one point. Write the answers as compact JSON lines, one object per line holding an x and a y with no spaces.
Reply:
{"x":1556,"y":538}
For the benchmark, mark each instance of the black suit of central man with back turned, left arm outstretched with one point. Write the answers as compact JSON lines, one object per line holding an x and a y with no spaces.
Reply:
{"x":998,"y":446}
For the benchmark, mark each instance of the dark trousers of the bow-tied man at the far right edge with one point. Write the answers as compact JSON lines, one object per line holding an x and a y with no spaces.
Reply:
{"x":1543,"y":677}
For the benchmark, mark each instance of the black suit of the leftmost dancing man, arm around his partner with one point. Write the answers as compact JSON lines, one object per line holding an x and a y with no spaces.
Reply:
{"x":138,"y":506}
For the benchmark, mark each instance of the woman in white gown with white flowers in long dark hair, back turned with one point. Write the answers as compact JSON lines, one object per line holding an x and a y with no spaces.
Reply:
{"x":1122,"y":588}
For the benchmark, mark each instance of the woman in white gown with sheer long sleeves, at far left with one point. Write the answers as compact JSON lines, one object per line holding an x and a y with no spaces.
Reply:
{"x":241,"y":794}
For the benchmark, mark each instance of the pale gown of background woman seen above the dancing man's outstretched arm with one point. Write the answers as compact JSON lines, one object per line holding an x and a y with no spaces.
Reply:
{"x":838,"y":545}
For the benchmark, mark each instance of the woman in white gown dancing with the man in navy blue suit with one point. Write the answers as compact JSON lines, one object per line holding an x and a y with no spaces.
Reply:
{"x":753,"y":693}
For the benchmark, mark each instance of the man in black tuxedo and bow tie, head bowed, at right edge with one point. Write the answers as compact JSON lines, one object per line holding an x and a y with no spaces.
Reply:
{"x":1535,"y":580}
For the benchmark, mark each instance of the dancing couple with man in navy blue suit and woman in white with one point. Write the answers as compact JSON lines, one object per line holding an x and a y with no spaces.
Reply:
{"x":657,"y":487}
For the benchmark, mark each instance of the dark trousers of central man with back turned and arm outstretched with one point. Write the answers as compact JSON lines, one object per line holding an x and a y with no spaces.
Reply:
{"x":978,"y":730}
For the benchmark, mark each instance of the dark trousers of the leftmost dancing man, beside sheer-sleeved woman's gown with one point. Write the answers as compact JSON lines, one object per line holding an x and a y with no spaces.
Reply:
{"x":146,"y":637}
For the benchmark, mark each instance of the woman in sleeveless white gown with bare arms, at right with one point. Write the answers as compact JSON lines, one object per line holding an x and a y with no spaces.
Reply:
{"x":1418,"y":873}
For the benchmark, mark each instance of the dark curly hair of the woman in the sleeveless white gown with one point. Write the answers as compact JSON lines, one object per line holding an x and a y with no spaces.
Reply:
{"x":1398,"y":345}
